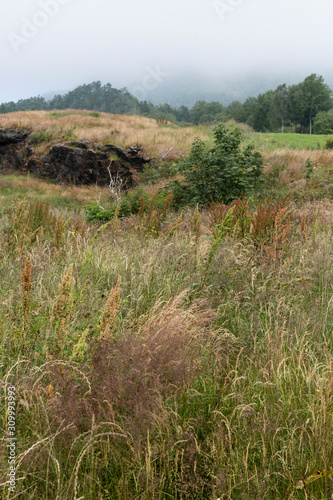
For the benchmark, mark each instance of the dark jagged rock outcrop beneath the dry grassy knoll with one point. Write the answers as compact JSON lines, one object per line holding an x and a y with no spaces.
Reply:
{"x":78,"y":162}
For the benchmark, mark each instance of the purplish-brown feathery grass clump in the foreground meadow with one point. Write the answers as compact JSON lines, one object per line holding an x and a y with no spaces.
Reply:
{"x":153,"y":360}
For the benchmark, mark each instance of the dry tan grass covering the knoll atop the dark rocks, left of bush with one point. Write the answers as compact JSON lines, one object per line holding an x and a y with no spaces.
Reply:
{"x":157,"y":138}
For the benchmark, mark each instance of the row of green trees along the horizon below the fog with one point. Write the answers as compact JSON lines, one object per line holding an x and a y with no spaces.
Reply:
{"x":306,"y":107}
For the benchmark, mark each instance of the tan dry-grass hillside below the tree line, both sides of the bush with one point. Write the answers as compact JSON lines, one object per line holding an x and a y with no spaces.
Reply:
{"x":155,"y":136}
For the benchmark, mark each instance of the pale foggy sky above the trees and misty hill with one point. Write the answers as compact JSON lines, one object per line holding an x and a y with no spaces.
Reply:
{"x":58,"y":44}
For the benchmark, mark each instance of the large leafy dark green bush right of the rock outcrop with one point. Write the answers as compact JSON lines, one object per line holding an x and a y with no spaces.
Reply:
{"x":224,"y":172}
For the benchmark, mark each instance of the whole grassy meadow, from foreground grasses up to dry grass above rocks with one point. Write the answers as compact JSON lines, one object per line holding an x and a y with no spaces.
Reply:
{"x":176,"y":355}
